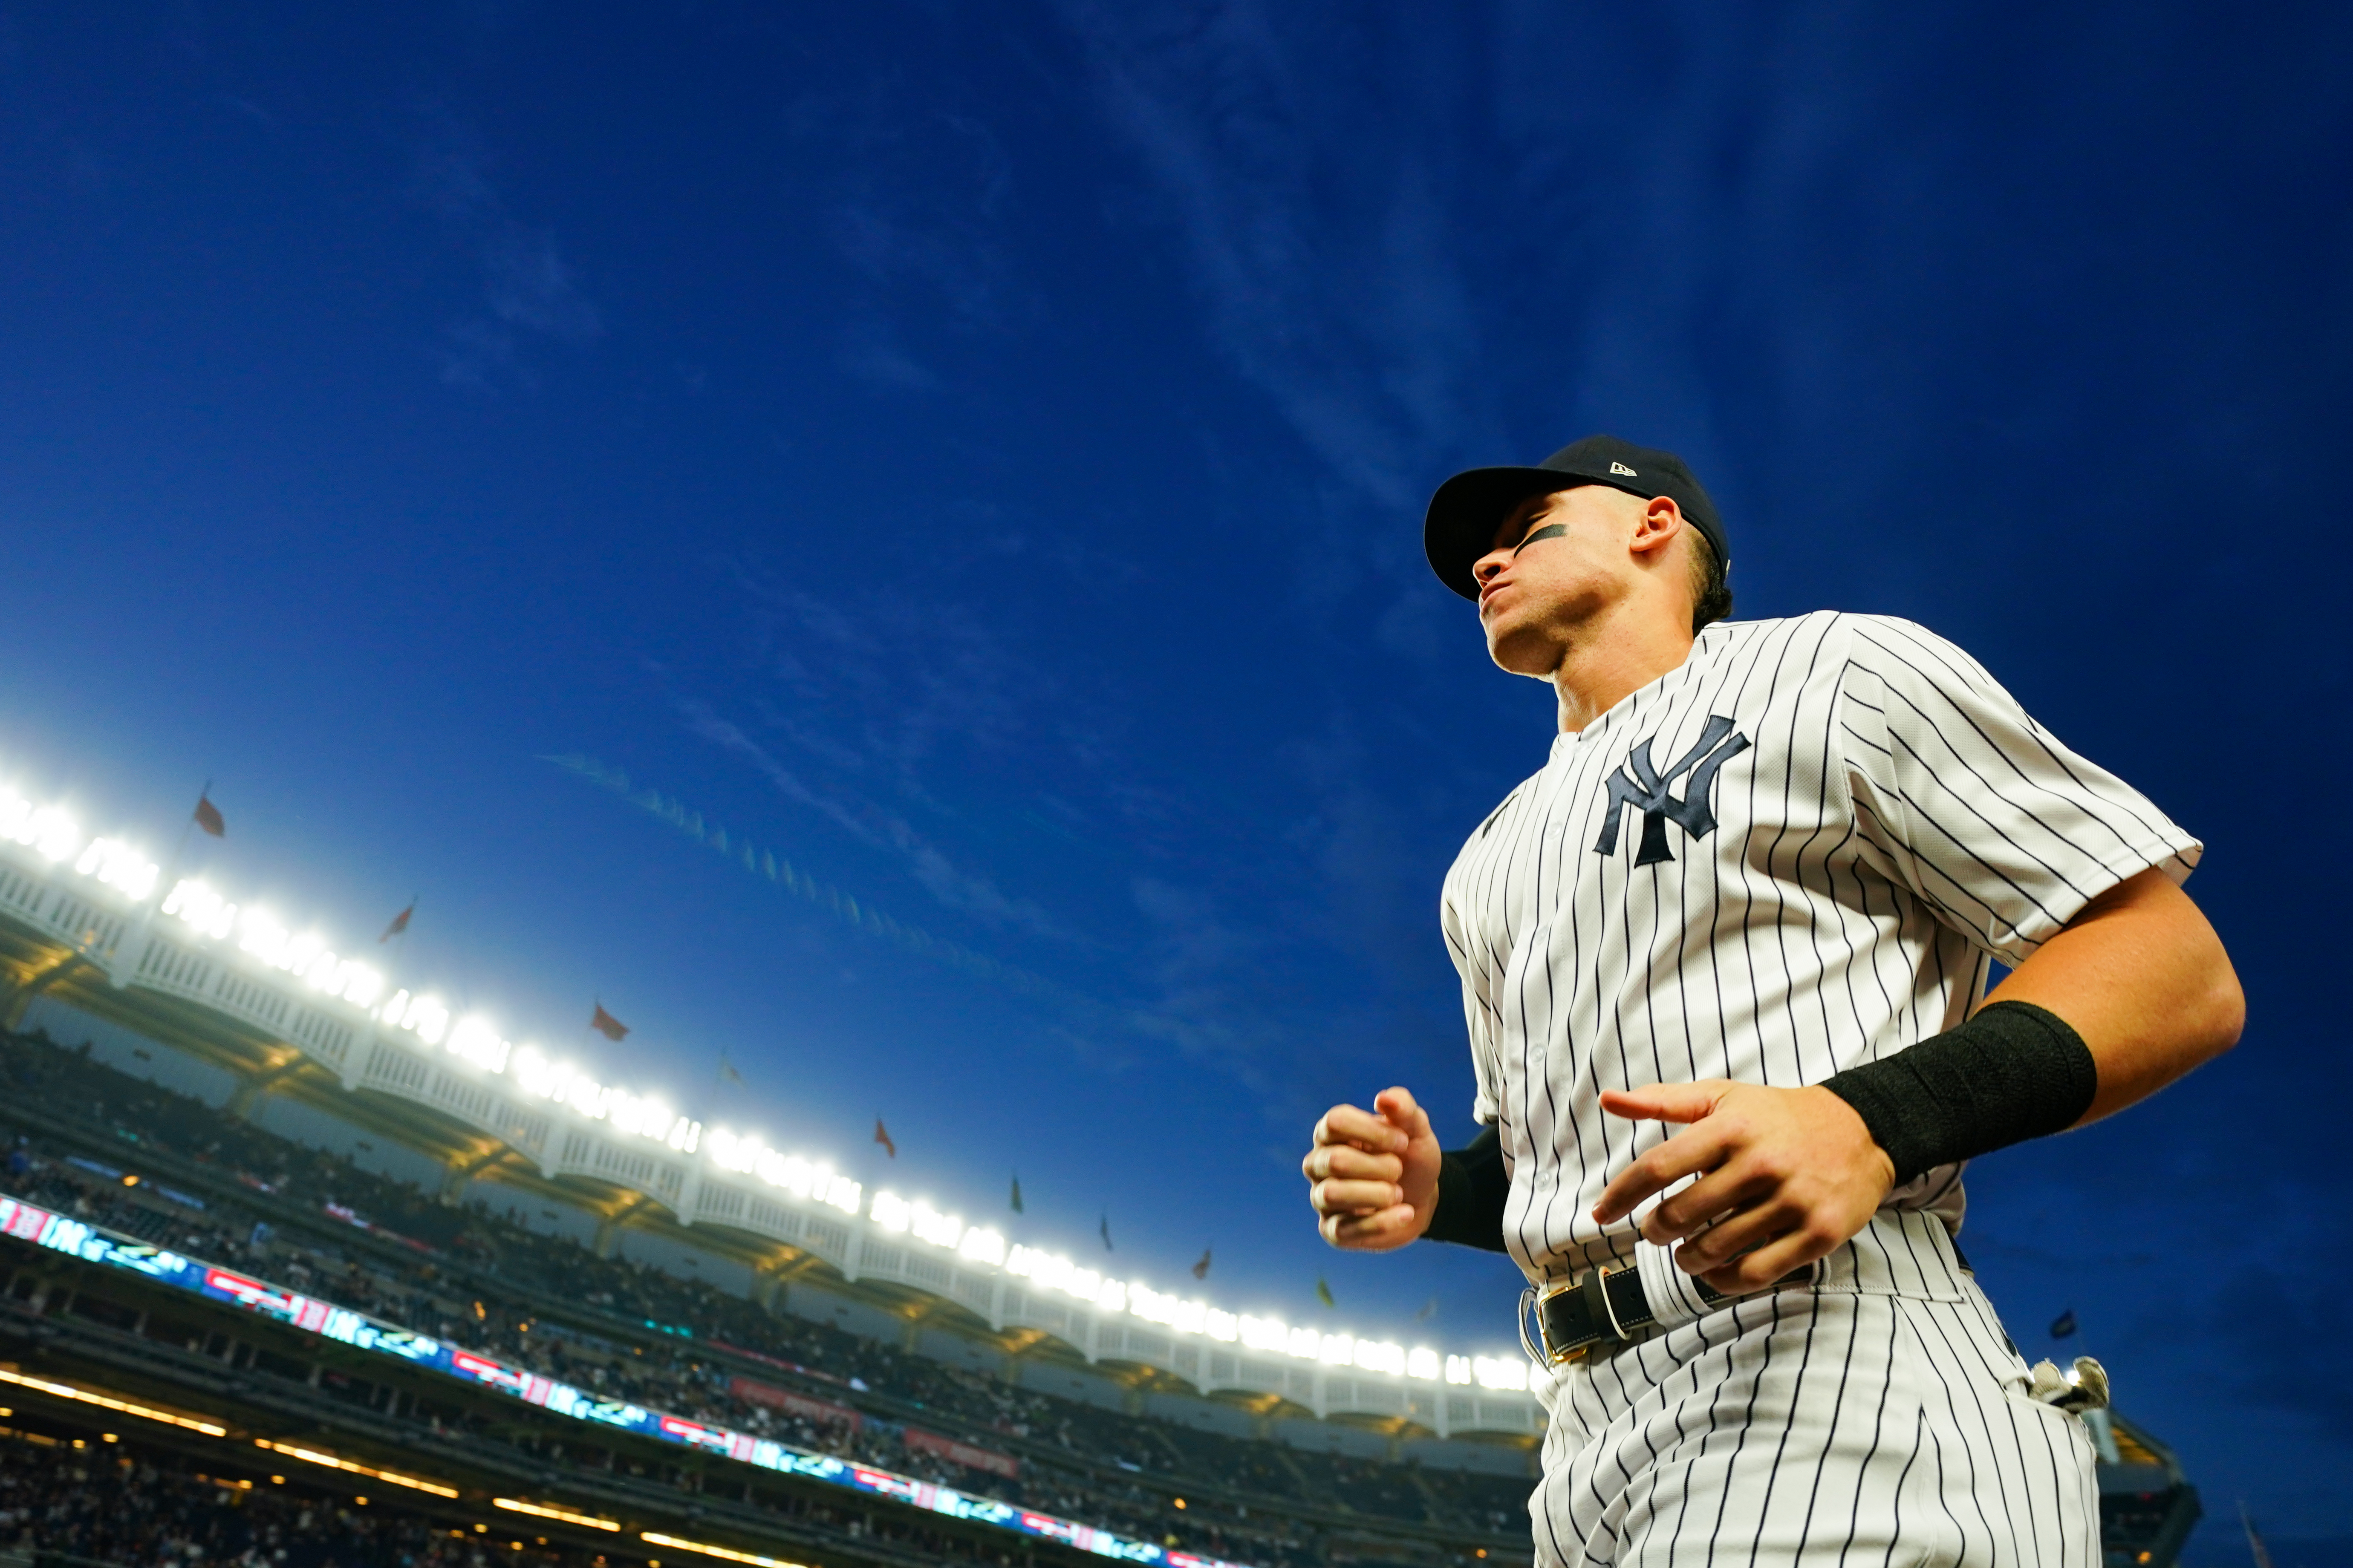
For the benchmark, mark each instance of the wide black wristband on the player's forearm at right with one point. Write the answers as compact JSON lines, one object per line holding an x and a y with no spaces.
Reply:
{"x":2008,"y":1076}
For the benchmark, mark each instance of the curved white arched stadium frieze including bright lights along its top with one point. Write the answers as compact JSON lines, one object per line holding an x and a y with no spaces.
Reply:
{"x":86,"y":920}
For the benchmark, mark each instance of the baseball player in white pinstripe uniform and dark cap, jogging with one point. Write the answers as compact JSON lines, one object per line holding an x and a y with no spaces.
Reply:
{"x":1726,"y":963}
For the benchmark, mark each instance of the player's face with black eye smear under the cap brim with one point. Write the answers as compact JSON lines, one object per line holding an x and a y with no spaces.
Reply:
{"x":1554,"y":565}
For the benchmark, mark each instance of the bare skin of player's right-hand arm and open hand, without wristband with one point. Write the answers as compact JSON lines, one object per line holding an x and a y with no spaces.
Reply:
{"x":1789,"y":1174}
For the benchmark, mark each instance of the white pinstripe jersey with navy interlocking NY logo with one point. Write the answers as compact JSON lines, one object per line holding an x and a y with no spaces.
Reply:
{"x":1794,"y":855}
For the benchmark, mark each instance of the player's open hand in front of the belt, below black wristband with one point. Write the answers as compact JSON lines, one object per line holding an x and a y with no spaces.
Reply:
{"x":1785,"y":1177}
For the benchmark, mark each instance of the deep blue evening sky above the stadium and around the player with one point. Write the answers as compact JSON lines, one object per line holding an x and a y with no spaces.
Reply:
{"x":978,"y":453}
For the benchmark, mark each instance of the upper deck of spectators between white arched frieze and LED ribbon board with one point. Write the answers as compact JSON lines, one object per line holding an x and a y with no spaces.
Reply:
{"x":484,"y":1282}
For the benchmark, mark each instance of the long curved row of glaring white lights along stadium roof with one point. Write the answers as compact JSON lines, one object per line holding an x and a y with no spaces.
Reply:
{"x":262,"y":939}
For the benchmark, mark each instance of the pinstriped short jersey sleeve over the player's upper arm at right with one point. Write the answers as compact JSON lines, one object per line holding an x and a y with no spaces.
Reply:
{"x":1978,"y":810}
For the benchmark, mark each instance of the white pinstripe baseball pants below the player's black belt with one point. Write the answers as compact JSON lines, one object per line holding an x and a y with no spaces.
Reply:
{"x":1877,"y":1419}
